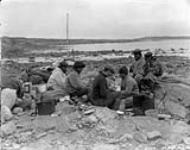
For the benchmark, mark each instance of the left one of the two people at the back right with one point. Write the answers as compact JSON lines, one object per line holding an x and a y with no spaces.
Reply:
{"x":137,"y":67}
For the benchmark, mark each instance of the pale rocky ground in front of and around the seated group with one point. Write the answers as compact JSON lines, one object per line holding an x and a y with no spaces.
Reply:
{"x":95,"y":128}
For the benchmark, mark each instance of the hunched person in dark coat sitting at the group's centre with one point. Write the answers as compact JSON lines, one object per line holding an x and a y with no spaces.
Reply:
{"x":101,"y":95}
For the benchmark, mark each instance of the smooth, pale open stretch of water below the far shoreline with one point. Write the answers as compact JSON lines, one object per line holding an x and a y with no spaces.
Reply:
{"x":163,"y":44}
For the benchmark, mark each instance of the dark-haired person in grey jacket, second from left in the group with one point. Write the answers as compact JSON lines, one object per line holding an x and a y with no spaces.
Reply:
{"x":73,"y":84}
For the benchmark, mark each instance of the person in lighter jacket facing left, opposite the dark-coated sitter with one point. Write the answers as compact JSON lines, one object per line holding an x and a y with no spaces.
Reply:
{"x":129,"y":88}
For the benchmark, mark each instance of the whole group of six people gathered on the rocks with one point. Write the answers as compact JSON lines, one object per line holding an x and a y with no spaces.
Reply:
{"x":132,"y":87}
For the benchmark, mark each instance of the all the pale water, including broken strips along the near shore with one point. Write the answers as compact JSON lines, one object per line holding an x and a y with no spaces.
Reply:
{"x":160,"y":48}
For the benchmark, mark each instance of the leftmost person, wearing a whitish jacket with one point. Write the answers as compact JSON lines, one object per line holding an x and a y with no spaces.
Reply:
{"x":58,"y":76}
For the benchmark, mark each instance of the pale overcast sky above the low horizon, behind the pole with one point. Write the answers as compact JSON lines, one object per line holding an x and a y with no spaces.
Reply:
{"x":112,"y":19}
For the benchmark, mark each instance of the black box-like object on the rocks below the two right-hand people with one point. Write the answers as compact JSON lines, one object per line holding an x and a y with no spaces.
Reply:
{"x":142,"y":103}
